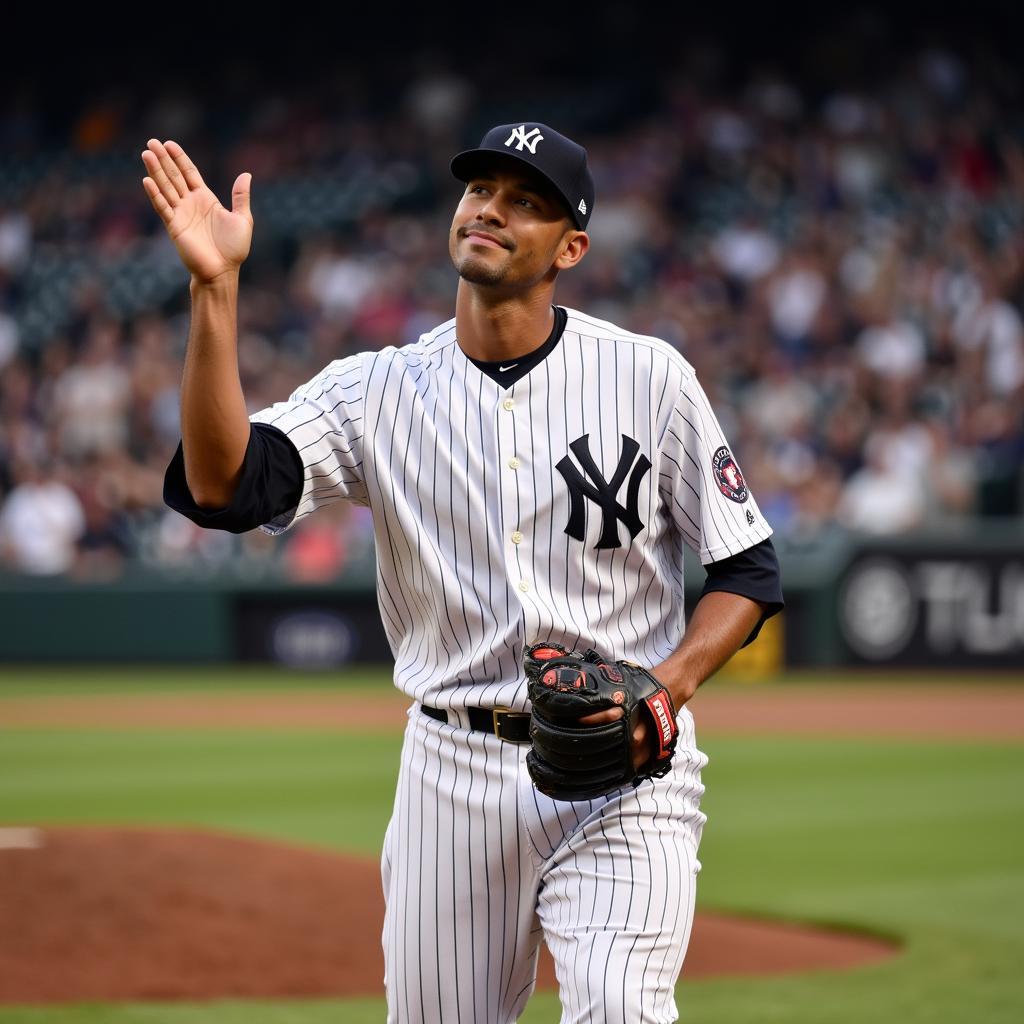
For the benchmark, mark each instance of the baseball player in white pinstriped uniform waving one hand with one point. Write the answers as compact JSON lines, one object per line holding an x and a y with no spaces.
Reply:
{"x":533,"y":475}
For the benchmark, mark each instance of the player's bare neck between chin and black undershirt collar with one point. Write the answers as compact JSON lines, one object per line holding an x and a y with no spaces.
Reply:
{"x":492,"y":329}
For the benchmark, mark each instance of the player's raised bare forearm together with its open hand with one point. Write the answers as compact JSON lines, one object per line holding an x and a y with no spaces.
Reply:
{"x":214,"y":243}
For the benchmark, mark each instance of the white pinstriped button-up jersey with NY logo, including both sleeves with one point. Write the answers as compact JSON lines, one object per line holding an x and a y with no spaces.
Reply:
{"x":556,"y":509}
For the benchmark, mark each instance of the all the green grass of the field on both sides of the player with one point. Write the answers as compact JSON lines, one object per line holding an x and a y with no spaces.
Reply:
{"x":918,"y":840}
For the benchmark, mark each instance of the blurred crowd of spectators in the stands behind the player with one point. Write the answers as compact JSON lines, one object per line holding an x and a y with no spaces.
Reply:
{"x":845,"y":271}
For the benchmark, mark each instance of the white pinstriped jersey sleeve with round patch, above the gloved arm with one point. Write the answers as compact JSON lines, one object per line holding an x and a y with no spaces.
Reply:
{"x":702,"y":483}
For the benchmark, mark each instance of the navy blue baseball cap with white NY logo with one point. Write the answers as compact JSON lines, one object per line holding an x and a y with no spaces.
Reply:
{"x":560,"y":160}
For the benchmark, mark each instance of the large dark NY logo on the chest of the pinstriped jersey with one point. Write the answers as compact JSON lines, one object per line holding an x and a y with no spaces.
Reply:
{"x":603,"y":492}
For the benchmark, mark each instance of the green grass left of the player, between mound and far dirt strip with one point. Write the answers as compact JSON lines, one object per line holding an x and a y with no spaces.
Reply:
{"x":327,"y":790}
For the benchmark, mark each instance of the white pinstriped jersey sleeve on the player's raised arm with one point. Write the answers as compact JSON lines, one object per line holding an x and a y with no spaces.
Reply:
{"x":323,"y":419}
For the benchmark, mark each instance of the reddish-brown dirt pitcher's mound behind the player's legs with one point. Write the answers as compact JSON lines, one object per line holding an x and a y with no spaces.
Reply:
{"x":119,"y":914}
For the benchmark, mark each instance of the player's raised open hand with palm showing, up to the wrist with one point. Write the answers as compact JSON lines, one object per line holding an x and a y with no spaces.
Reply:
{"x":210,"y":240}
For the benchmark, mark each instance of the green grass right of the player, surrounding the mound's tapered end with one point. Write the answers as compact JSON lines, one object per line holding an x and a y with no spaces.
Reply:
{"x":920,"y":841}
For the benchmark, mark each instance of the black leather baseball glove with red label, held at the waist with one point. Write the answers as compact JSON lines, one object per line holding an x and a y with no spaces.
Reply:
{"x":574,"y":761}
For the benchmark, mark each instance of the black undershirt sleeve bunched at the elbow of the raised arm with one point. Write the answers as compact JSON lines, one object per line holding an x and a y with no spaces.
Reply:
{"x":271,"y":485}
